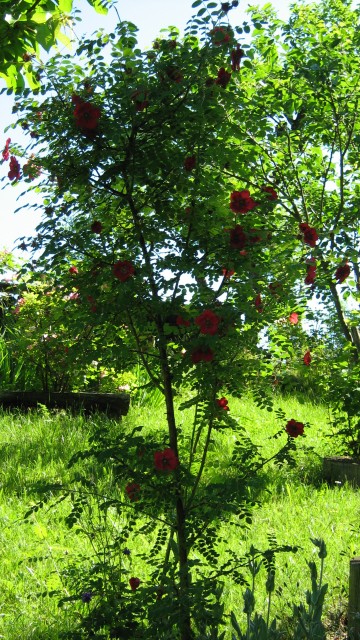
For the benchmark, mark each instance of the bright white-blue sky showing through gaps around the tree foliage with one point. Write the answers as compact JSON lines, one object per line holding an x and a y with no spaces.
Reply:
{"x":150,"y":16}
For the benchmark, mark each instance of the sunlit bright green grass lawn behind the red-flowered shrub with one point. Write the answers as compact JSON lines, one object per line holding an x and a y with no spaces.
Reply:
{"x":296,"y":506}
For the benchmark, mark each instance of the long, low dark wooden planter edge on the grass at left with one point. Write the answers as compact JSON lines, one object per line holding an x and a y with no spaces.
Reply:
{"x":114,"y":404}
